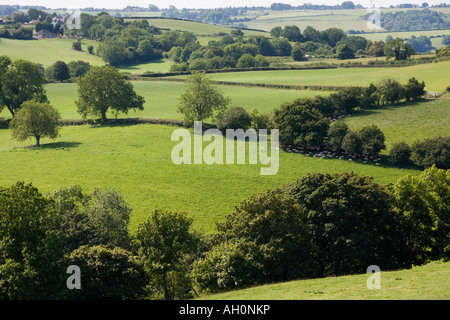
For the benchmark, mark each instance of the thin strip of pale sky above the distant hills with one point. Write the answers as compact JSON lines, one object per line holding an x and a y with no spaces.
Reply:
{"x":118,"y":4}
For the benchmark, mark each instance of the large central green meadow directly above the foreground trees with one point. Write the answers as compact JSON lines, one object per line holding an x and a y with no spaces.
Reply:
{"x":136,"y":161}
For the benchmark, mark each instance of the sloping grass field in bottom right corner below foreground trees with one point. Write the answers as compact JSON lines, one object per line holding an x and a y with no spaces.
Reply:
{"x":428,"y":282}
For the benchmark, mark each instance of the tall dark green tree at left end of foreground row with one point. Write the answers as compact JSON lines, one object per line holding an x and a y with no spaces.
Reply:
{"x":31,"y":251}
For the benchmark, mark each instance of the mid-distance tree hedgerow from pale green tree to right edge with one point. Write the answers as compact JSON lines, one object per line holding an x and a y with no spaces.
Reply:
{"x":306,"y":122}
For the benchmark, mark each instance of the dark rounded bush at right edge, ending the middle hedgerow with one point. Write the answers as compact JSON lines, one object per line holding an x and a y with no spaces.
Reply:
{"x":436,"y":151}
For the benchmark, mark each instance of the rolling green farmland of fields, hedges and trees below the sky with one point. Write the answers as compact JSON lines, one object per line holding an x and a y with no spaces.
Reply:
{"x":325,"y":225}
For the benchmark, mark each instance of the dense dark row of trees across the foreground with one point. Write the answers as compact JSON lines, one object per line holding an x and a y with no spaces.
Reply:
{"x":321,"y":225}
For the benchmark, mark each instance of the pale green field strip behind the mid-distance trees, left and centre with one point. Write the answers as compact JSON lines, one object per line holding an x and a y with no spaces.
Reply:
{"x":162,"y":98}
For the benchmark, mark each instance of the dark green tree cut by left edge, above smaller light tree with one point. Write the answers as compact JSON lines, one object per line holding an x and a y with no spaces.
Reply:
{"x":20,"y":81}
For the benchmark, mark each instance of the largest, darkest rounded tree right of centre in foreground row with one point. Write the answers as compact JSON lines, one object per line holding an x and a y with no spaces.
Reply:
{"x":352,"y":220}
